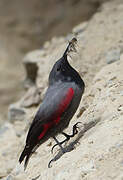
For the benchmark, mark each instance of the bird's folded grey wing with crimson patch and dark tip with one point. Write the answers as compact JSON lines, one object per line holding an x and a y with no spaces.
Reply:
{"x":50,"y":112}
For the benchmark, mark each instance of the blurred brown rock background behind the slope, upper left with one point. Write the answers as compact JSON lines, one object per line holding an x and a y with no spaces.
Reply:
{"x":24,"y":27}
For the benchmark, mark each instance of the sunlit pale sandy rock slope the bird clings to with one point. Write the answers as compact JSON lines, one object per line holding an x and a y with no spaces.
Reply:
{"x":98,"y":146}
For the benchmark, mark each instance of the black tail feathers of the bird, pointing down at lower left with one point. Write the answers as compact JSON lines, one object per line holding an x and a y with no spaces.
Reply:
{"x":26,"y":153}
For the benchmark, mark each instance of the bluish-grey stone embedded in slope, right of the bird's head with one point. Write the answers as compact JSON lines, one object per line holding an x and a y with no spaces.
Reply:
{"x":113,"y":56}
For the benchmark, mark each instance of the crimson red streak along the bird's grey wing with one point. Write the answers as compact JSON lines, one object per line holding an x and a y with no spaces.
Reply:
{"x":62,"y":107}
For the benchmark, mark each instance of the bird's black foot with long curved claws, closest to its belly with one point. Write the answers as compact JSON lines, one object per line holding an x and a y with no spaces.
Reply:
{"x":75,"y":131}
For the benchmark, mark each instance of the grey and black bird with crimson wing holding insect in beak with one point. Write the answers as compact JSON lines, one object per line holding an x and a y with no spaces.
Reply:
{"x":60,"y":102}
